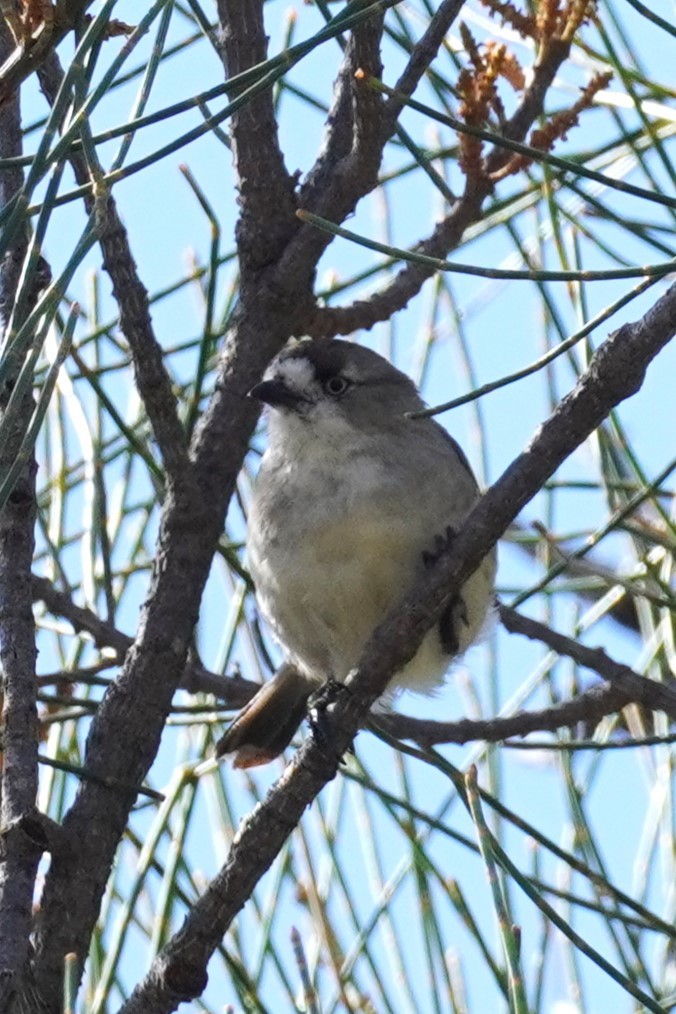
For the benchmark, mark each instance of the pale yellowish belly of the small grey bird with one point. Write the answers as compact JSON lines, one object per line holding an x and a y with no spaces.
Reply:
{"x":328,"y":587}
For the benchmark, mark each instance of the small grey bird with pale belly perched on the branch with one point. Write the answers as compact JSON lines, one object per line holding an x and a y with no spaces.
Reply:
{"x":351,"y":503}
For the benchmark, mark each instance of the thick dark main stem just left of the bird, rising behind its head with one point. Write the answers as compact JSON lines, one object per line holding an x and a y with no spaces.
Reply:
{"x":126,"y":731}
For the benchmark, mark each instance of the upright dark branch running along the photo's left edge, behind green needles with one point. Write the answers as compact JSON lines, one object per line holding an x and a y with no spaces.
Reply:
{"x":20,"y":850}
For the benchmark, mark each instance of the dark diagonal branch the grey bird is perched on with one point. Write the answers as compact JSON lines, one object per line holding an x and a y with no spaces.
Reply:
{"x":616,"y":373}
